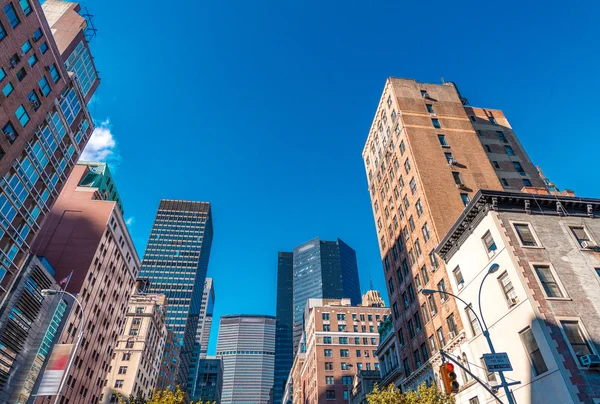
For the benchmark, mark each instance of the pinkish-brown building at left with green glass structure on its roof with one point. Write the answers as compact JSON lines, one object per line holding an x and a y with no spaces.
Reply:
{"x":86,"y":239}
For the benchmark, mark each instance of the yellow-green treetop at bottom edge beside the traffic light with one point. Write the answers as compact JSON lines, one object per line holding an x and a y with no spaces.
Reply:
{"x":423,"y":395}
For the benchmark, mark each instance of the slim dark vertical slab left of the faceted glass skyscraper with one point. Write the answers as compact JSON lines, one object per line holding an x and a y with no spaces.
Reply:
{"x":284,"y":354}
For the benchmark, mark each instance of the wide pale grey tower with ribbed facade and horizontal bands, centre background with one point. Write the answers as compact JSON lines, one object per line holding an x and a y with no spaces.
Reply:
{"x":246,"y":345}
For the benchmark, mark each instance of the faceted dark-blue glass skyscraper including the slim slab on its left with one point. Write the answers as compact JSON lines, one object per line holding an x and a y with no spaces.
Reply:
{"x":316,"y":269}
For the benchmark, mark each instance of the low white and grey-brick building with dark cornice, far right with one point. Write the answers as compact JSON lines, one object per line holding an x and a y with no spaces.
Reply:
{"x":541,"y":305}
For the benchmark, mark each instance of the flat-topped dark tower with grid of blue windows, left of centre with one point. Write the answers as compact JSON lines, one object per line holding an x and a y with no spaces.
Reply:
{"x":175,"y":263}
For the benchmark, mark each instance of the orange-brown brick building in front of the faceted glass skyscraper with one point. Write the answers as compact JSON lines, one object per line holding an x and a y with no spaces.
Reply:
{"x":340,"y":340}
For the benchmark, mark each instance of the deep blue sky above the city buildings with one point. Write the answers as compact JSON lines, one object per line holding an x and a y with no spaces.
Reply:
{"x":263,"y":107}
